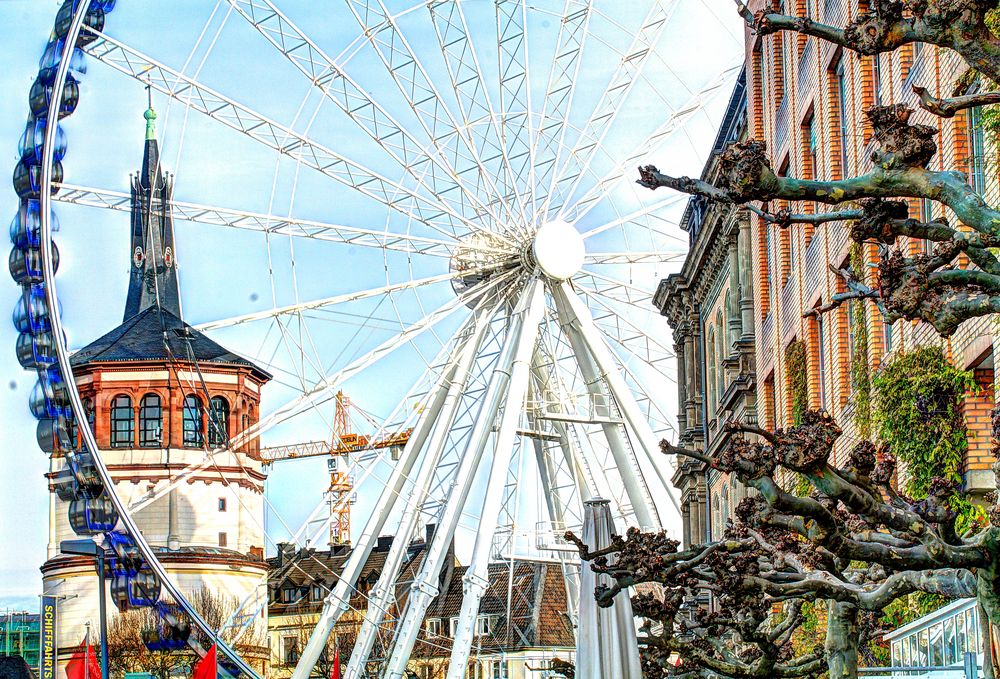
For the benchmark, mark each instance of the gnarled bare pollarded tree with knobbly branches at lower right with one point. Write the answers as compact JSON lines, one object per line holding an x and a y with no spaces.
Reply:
{"x":855,"y":543}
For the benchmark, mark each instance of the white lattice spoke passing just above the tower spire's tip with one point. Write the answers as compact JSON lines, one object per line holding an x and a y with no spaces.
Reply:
{"x":429,"y":211}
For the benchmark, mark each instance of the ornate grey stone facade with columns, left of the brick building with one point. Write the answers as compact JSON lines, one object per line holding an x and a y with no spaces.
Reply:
{"x":709,"y":306}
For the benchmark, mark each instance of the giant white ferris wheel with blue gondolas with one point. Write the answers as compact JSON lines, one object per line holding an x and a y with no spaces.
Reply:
{"x":446,"y":225}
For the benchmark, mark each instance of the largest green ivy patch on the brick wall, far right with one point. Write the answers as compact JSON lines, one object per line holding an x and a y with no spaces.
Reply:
{"x":917,"y":413}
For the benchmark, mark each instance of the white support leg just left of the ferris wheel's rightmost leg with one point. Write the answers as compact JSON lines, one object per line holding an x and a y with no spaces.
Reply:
{"x":628,"y":467}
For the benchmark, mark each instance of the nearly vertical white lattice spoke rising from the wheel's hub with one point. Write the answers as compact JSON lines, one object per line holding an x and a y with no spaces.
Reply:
{"x":515,"y":101}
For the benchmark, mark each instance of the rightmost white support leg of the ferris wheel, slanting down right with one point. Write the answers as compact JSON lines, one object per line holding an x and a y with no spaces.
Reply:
{"x":623,"y":395}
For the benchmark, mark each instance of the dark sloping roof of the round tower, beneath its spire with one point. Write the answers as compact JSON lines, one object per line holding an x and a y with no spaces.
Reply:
{"x":149,"y":334}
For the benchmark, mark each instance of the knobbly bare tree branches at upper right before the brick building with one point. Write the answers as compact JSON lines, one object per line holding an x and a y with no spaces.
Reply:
{"x":929,"y":287}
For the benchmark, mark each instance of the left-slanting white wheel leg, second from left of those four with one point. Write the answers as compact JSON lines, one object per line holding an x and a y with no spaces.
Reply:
{"x":379,"y":600}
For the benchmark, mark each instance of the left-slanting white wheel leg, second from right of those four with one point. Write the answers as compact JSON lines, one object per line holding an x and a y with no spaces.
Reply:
{"x":425,"y":584}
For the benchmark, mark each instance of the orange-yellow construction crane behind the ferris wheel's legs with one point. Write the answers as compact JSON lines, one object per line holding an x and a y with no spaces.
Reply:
{"x":342,"y":444}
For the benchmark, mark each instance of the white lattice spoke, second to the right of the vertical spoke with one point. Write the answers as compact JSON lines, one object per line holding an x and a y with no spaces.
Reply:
{"x":574,"y":168}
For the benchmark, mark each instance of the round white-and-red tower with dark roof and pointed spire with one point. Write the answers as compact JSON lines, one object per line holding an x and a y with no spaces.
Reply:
{"x":160,"y":396}
